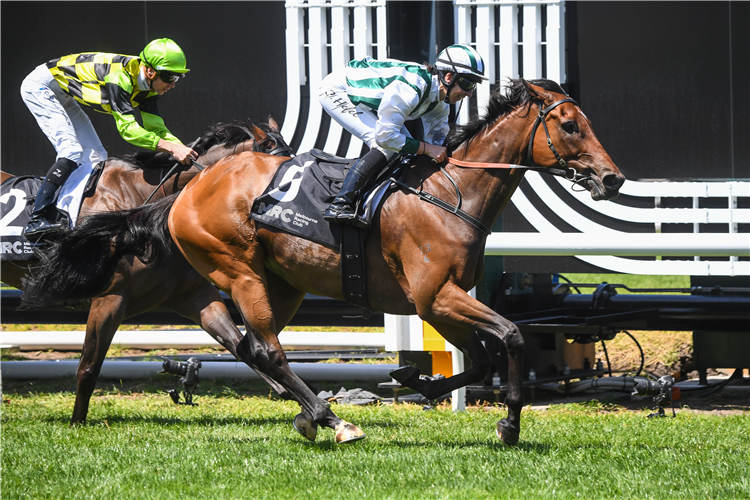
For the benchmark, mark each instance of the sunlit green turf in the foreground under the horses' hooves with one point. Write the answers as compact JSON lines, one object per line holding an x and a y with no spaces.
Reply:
{"x":233,"y":446}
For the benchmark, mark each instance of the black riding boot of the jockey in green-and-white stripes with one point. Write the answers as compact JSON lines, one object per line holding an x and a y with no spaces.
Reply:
{"x":343,"y":210}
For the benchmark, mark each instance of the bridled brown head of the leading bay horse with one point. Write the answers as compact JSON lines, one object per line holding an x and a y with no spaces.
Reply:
{"x":569,"y":142}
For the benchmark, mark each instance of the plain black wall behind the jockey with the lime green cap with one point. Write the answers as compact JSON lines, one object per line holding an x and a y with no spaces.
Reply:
{"x":235,"y":51}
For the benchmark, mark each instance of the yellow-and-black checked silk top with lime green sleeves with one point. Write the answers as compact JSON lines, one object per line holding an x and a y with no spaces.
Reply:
{"x":107,"y":83}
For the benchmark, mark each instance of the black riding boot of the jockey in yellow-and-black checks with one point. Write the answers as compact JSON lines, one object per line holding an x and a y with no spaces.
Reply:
{"x":42,"y":219}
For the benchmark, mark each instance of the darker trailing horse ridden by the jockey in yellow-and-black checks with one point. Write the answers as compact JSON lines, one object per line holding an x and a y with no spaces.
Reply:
{"x":128,"y":182}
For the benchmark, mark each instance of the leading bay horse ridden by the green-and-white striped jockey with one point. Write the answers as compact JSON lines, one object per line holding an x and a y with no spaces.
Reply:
{"x":267,"y":273}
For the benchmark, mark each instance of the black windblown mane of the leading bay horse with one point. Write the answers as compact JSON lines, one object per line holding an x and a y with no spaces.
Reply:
{"x":500,"y":104}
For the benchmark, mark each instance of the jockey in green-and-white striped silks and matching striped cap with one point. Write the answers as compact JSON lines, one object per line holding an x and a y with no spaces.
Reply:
{"x":373,"y":99}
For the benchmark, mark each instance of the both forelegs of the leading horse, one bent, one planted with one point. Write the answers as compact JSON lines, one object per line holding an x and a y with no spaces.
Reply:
{"x":453,"y":306}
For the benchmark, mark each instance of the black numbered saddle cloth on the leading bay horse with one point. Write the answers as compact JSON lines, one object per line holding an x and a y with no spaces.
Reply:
{"x":300,"y":192}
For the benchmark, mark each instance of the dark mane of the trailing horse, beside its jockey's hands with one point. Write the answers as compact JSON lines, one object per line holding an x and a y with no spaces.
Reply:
{"x":228,"y":134}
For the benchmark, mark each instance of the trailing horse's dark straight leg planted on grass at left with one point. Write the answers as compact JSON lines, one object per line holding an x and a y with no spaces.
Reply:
{"x":105,"y":317}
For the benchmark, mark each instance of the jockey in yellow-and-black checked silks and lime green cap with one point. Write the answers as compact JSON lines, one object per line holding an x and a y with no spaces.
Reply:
{"x":109,"y":83}
